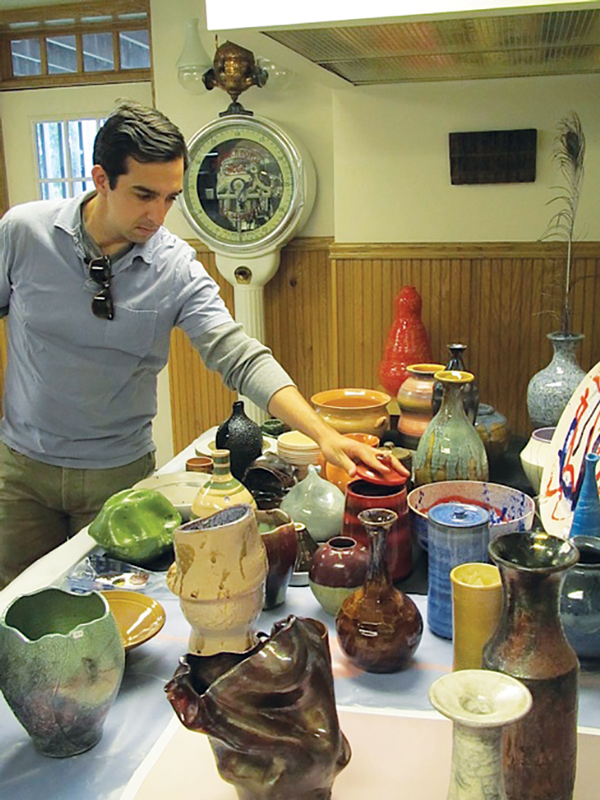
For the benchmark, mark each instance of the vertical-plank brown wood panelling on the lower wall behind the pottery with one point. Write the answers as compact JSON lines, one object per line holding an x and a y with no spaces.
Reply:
{"x":329,"y":308}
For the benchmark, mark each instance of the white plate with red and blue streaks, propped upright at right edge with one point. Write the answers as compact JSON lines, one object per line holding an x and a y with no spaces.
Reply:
{"x":577,"y":433}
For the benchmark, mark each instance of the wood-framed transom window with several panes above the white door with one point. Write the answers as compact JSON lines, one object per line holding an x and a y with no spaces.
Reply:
{"x":42,"y":47}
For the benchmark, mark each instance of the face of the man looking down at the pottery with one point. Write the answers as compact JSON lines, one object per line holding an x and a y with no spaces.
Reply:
{"x":137,"y":206}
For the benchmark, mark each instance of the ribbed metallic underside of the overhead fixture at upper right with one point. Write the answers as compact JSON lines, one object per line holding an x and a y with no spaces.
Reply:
{"x":560,"y":42}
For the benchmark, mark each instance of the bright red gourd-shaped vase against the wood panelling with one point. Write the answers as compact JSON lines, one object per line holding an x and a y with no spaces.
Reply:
{"x":407,"y":341}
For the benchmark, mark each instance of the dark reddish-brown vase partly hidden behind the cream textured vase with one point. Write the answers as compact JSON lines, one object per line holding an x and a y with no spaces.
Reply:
{"x":281,"y":543}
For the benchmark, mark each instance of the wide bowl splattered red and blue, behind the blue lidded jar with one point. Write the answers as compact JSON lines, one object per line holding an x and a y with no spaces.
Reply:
{"x":510,"y":510}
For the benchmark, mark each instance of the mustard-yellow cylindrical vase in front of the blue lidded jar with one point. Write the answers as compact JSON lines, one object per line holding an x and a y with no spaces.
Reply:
{"x":476,"y":606}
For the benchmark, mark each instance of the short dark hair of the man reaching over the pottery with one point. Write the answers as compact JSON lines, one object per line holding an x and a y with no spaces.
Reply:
{"x":143,"y":133}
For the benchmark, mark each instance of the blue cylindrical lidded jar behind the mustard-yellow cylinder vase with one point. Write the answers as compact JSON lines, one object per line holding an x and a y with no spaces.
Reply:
{"x":457,"y":533}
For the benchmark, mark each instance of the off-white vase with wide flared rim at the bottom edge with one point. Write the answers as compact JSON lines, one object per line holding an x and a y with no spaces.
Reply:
{"x":480,"y":704}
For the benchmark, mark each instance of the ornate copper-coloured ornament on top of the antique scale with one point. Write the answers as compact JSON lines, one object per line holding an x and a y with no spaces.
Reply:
{"x":234,"y":70}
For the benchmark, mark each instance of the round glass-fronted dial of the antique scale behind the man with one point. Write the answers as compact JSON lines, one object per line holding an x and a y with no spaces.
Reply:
{"x":243,"y":189}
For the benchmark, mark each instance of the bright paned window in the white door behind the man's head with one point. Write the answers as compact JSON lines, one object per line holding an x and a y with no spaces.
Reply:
{"x":64,"y":156}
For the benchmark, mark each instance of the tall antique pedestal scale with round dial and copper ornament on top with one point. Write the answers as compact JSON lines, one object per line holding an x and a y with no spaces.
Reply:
{"x":248,"y":190}
